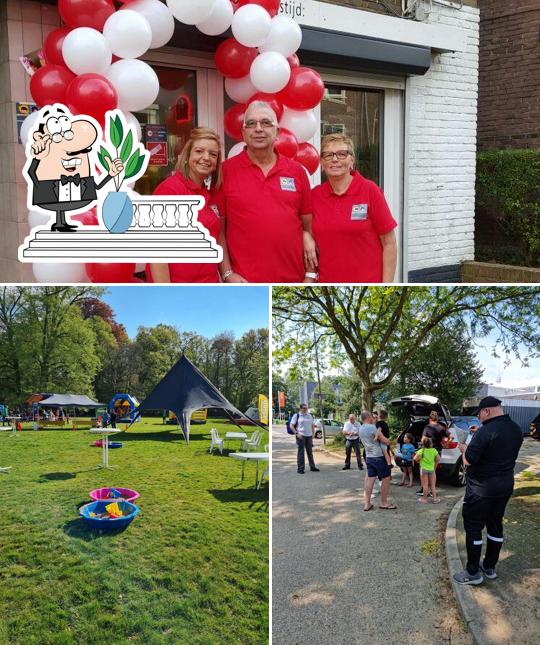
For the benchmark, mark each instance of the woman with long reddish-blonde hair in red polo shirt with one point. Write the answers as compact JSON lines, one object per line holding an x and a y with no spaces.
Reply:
{"x":198,"y":172}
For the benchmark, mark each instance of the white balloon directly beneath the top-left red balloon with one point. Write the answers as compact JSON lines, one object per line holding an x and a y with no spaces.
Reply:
{"x":86,"y":50}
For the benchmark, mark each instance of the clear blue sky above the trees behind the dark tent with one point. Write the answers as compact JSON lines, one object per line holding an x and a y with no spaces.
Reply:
{"x":205,"y":310}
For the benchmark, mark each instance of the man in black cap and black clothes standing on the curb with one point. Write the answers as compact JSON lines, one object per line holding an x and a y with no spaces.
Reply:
{"x":490,"y":458}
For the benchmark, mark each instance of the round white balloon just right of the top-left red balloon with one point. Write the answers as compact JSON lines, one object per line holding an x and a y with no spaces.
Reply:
{"x":128,"y":33}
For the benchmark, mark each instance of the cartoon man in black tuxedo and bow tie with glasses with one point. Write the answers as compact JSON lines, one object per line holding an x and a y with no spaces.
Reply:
{"x":60,"y":167}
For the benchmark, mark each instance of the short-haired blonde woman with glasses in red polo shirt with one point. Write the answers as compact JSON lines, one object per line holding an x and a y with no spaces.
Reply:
{"x":352,"y":224}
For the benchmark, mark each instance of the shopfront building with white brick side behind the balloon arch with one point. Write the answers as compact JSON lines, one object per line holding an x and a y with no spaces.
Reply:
{"x":401,"y":78}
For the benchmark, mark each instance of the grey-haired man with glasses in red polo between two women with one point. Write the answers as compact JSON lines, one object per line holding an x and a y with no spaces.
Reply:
{"x":267,"y":207}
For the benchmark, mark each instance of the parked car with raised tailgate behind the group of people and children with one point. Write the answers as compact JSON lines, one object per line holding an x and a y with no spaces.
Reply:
{"x":418,"y":407}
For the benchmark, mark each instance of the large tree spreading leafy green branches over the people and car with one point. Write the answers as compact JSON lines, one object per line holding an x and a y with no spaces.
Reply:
{"x":380,"y":329}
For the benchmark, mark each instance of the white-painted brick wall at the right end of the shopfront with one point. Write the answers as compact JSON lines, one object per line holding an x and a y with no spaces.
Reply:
{"x":440,"y":152}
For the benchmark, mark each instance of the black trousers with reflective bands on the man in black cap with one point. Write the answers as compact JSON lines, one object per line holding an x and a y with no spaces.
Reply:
{"x":480,"y":512}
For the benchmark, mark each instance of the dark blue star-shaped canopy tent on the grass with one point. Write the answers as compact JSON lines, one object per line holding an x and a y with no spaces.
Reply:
{"x":183,"y":390}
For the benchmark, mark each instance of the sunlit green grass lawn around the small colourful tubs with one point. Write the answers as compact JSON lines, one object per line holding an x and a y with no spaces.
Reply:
{"x":191,"y":568}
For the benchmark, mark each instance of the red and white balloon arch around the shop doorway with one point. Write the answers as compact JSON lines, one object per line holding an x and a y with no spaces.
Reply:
{"x":92,"y":65}
